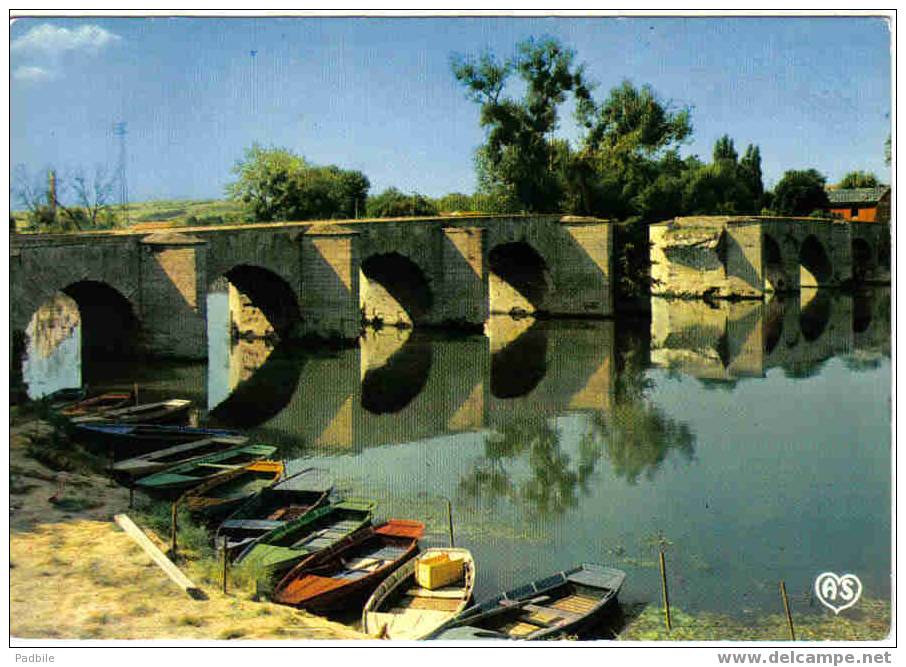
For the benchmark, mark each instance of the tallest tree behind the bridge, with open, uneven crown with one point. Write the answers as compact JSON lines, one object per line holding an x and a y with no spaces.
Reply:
{"x":516,"y":163}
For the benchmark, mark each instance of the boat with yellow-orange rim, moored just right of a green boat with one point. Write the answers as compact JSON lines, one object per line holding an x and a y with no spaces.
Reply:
{"x":222,"y":493}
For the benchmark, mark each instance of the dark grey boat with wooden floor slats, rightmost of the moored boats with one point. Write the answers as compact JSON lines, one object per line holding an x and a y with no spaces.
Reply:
{"x":561,"y":604}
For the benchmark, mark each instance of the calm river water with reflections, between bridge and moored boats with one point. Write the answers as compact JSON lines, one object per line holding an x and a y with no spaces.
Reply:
{"x":752,"y":440}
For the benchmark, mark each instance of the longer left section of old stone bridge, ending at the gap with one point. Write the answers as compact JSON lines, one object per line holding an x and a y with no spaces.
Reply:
{"x":314,"y":278}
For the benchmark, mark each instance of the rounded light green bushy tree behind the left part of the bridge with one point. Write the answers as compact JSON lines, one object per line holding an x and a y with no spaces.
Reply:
{"x":278,"y":184}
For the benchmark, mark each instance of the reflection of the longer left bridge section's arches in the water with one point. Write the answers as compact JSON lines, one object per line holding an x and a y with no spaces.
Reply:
{"x":402,"y":385}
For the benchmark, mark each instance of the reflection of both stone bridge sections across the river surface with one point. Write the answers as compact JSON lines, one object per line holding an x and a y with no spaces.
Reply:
{"x":403,"y":385}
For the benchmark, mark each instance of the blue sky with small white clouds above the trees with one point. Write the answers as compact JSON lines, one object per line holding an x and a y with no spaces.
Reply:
{"x":377,"y":94}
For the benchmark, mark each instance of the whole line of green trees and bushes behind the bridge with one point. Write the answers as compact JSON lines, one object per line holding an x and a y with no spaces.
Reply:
{"x":625,"y":164}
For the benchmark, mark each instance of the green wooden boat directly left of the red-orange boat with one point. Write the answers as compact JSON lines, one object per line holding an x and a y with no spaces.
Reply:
{"x":284,"y":547}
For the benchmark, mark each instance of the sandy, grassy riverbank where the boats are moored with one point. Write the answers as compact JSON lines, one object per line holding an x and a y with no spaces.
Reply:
{"x":75,"y":575}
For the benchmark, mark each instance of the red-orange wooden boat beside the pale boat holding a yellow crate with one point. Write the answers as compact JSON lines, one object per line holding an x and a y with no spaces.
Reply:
{"x":342,"y":577}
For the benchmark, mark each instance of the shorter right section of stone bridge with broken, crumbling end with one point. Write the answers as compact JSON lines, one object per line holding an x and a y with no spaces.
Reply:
{"x":749,"y":256}
